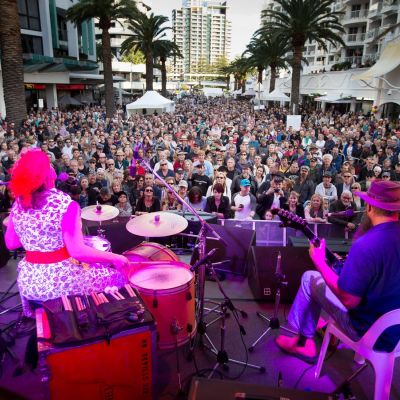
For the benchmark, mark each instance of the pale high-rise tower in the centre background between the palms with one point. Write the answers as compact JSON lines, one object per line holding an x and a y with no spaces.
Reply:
{"x":202,"y":30}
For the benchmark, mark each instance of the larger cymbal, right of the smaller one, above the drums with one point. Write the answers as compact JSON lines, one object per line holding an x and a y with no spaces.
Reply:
{"x":157,"y":224}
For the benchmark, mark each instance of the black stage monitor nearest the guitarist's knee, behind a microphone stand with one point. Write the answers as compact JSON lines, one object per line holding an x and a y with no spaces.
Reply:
{"x":262,"y":266}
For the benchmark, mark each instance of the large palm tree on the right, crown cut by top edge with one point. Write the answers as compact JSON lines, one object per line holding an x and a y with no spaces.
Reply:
{"x":299,"y":21}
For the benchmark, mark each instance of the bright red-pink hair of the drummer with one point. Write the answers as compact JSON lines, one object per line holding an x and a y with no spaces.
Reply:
{"x":28,"y":175}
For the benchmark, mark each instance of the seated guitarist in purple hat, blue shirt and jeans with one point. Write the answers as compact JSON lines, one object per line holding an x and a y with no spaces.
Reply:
{"x":367,"y":286}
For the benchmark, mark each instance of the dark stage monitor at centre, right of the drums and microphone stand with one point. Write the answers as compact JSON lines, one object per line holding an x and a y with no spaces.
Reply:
{"x":236,"y":251}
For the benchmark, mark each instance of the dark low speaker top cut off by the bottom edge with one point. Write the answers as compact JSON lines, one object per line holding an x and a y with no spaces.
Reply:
{"x":217,"y":389}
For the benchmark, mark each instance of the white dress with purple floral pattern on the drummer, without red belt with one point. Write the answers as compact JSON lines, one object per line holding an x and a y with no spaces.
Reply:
{"x":40,"y":230}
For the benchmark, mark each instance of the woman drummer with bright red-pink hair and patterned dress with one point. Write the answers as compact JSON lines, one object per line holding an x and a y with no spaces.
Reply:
{"x":46,"y":223}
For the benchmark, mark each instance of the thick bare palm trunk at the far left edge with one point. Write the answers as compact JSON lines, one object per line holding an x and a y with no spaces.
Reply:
{"x":11,"y":62}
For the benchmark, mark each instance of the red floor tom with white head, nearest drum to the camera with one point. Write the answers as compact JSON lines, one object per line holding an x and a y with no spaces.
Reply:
{"x":167,"y":289}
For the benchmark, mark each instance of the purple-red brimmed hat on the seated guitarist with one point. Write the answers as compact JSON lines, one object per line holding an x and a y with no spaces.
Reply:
{"x":382,"y":194}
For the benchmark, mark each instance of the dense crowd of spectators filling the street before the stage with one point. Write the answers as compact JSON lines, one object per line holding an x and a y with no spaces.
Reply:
{"x":218,"y":154}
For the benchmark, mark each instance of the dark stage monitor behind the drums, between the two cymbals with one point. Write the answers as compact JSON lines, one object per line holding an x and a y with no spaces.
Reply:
{"x":116,"y":233}
